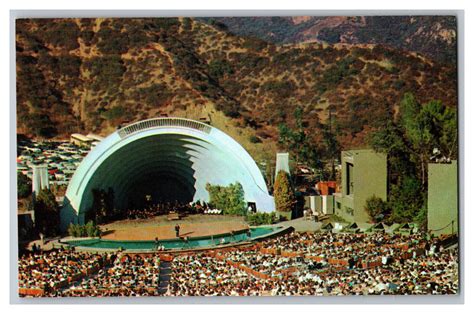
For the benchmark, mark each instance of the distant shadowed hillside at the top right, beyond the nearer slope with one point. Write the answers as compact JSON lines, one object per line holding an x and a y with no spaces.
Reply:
{"x":432,"y":36}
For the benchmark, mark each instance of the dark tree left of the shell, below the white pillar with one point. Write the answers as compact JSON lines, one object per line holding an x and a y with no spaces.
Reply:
{"x":46,"y":212}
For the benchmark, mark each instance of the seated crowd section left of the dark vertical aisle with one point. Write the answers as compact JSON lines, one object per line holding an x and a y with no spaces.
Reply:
{"x":63,"y":273}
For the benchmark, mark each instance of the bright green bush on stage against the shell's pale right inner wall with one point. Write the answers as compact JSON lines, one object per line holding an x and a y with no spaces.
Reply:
{"x":230,"y":199}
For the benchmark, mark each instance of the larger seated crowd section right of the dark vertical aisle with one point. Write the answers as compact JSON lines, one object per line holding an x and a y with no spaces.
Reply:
{"x":435,"y":271}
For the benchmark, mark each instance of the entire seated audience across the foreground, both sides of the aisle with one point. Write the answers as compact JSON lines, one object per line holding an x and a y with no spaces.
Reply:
{"x":261,"y":269}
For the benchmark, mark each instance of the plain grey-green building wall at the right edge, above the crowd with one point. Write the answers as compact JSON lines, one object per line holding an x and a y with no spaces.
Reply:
{"x":443,"y":198}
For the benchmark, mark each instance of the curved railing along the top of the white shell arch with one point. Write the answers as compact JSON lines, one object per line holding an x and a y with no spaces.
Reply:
{"x":163,"y":122}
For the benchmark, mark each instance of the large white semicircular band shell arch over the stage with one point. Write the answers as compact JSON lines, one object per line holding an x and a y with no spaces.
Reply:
{"x":193,"y":152}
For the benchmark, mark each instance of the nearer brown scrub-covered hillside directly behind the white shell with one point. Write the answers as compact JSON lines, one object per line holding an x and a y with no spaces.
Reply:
{"x":83,"y":75}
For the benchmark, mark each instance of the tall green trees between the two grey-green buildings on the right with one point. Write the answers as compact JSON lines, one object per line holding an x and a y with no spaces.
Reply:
{"x":409,"y":140}
